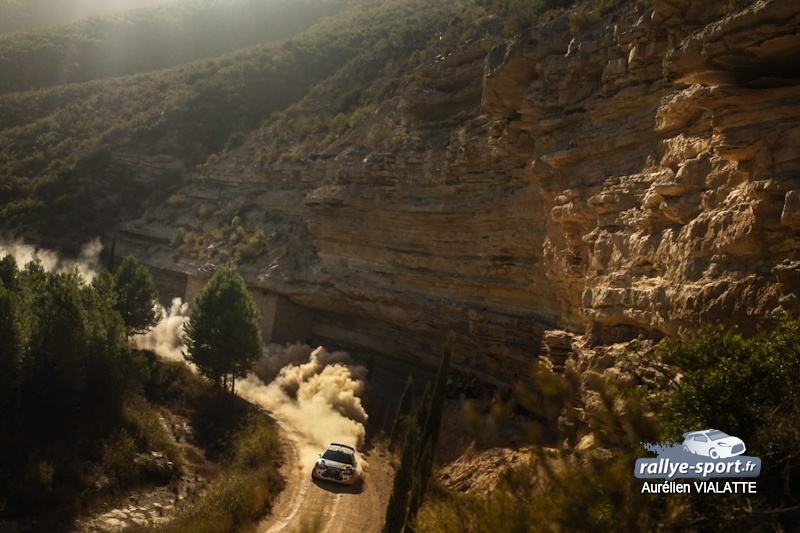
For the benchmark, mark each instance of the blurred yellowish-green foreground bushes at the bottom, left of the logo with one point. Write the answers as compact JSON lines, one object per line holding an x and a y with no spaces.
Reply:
{"x":544,"y":493}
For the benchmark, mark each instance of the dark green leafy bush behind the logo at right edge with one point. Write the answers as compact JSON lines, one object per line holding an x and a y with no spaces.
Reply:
{"x":747,"y":387}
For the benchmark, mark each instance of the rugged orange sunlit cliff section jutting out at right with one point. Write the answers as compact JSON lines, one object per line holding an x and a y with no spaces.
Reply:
{"x":668,"y":163}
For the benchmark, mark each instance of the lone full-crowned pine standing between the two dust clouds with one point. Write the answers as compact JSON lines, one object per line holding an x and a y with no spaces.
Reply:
{"x":223,"y":334}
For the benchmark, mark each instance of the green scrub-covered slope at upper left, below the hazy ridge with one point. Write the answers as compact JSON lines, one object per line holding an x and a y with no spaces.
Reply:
{"x":80,"y":152}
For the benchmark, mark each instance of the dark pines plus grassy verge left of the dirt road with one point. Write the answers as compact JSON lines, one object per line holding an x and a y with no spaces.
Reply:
{"x":81,"y":408}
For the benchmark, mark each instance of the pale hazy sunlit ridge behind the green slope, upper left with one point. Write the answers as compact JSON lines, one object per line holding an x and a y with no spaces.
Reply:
{"x":148,"y":39}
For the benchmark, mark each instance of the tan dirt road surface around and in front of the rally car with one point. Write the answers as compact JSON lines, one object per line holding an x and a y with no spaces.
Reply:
{"x":307,"y":505}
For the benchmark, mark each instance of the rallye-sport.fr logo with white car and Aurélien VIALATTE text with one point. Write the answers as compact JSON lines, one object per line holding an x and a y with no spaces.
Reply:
{"x":703,"y":455}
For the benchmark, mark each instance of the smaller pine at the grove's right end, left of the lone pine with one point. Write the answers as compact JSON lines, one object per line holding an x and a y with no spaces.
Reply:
{"x":137,"y":297}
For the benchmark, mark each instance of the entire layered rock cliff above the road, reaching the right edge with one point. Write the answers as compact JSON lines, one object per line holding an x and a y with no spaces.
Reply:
{"x":639,"y":178}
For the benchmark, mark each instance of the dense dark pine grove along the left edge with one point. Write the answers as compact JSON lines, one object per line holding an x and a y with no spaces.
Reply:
{"x":68,"y":381}
